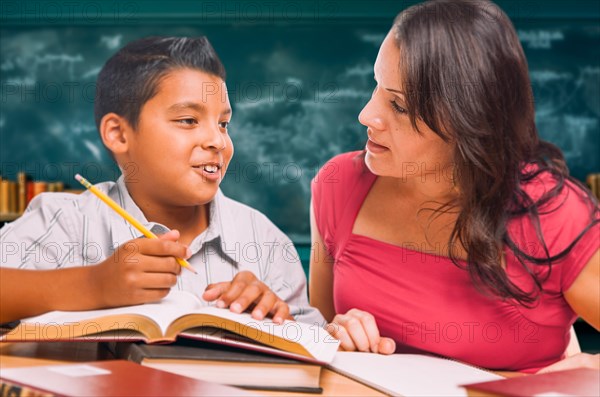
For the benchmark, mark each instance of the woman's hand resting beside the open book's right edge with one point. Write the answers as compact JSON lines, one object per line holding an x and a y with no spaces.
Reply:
{"x":357,"y":330}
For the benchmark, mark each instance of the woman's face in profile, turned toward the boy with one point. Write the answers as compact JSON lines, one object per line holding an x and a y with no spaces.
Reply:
{"x":393,"y":147}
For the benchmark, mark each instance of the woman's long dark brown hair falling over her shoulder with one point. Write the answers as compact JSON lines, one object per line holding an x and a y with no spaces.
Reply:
{"x":465,"y":75}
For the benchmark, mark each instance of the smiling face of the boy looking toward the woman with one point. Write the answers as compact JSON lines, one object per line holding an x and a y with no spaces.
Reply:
{"x":180,"y":151}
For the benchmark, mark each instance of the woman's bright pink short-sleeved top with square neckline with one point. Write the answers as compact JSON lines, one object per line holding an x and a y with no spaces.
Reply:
{"x":428,"y":304}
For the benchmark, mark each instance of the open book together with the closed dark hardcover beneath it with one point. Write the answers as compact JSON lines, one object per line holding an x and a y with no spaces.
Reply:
{"x":184,"y":337}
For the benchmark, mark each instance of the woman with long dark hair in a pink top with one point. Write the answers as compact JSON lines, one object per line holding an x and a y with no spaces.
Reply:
{"x":457,"y":231}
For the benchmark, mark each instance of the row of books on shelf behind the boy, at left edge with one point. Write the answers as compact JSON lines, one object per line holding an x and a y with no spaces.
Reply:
{"x":16,"y":195}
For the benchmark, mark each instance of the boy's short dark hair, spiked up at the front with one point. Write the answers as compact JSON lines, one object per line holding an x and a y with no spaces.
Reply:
{"x":130,"y":77}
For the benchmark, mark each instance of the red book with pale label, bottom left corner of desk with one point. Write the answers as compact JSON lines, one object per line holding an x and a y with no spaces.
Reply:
{"x":104,"y":378}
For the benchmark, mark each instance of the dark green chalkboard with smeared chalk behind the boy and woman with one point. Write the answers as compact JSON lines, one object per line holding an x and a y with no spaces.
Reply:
{"x":296,"y":85}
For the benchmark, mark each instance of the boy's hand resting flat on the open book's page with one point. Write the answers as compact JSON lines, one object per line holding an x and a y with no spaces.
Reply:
{"x":244,"y":290}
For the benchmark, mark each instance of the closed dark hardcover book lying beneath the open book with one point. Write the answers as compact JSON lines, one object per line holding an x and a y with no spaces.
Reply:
{"x":226,"y":365}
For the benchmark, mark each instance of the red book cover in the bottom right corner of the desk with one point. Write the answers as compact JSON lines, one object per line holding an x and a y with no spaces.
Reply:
{"x":573,"y":382}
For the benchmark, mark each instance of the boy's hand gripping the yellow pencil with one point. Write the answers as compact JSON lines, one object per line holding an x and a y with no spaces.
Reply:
{"x":141,"y":270}
